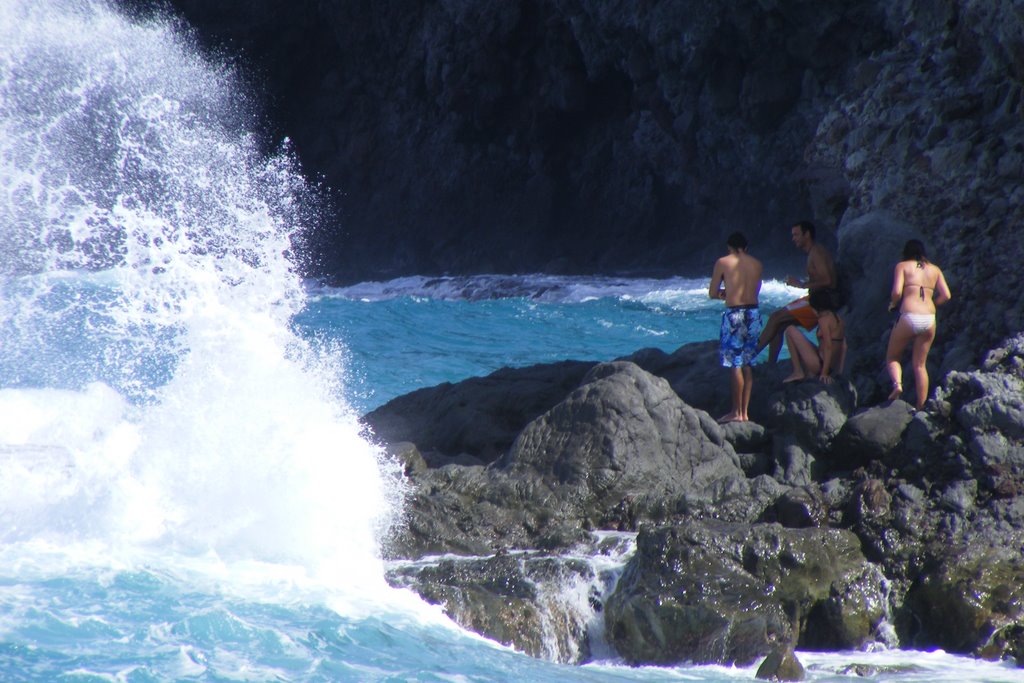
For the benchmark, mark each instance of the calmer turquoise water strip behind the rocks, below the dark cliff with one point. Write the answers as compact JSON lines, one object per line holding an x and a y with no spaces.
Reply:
{"x":407,"y":334}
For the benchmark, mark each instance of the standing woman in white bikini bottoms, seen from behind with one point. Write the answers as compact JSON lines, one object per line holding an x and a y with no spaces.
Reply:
{"x":918,"y":288}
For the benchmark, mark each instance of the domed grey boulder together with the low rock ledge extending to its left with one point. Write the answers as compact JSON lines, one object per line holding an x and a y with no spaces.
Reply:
{"x":620,"y":450}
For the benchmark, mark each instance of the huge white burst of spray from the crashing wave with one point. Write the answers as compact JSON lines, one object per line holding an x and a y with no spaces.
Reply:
{"x":155,"y":402}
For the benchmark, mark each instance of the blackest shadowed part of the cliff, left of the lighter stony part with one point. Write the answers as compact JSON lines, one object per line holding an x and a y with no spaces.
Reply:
{"x":569,"y":136}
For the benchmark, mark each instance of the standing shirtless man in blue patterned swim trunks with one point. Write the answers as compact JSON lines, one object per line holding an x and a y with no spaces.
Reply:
{"x":737,"y":279}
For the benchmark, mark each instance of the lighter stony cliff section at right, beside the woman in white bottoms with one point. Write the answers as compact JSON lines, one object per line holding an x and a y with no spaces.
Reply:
{"x":930,"y":133}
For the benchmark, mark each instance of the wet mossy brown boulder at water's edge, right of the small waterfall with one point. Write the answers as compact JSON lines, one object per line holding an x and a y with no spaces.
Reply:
{"x":709,"y":592}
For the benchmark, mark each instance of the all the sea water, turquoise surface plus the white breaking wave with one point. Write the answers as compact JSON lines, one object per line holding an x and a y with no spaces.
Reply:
{"x":186,"y":494}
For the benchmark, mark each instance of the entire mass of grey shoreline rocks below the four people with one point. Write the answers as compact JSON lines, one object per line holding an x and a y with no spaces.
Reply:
{"x":913,"y":521}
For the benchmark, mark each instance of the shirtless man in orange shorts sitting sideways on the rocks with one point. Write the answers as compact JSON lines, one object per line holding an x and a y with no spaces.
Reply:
{"x":821,"y":276}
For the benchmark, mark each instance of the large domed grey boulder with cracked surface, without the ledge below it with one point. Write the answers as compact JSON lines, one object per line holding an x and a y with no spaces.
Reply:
{"x":625,"y":434}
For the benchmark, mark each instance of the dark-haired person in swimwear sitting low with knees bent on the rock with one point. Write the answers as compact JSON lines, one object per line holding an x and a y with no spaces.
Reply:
{"x":830,"y":356}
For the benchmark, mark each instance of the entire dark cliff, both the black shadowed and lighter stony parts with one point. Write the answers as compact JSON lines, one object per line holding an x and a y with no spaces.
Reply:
{"x":596,"y":137}
